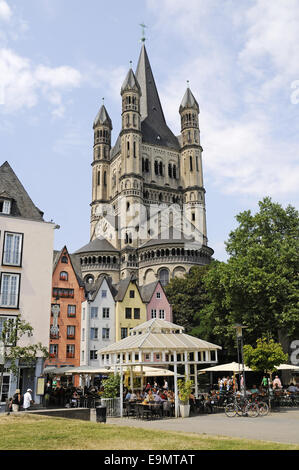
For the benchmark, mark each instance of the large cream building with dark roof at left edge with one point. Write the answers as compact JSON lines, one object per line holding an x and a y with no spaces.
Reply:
{"x":26,"y":252}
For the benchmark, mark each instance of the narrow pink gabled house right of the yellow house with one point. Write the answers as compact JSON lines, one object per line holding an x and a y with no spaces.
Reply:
{"x":157,"y":306}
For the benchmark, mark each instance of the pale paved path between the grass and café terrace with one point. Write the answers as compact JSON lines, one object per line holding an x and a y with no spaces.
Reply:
{"x":282,"y":426}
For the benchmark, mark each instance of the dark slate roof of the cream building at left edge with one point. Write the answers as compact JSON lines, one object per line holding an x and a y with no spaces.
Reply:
{"x":11,"y":187}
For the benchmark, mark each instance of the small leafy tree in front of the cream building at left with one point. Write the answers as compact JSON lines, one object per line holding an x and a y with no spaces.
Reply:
{"x":12,"y":331}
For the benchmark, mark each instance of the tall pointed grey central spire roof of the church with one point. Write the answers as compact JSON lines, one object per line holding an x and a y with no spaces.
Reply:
{"x":153,"y":125}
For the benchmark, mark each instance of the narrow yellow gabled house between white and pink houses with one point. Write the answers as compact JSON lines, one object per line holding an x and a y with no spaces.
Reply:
{"x":130,"y":310}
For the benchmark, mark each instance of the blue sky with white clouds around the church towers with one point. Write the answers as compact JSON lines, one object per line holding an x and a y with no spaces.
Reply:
{"x":58,"y":58}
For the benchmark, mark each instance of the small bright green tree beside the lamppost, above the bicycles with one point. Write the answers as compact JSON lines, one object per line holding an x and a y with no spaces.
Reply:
{"x":265,"y":357}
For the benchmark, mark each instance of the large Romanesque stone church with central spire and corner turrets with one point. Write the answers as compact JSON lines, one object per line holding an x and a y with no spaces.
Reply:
{"x":148,"y":212}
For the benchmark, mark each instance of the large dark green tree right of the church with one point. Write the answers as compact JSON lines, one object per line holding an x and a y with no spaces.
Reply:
{"x":258,"y":285}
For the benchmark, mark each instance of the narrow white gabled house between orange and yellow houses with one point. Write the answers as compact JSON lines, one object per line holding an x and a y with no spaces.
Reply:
{"x":98,"y":320}
